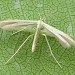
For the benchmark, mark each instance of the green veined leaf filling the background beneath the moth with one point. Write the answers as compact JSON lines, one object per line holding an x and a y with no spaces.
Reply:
{"x":58,"y":13}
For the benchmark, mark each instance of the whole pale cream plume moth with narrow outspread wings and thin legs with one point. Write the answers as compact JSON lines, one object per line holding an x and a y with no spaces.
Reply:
{"x":38,"y":27}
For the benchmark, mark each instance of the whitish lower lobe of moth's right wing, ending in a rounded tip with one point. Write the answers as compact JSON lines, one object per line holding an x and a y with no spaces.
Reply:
{"x":56,"y":35}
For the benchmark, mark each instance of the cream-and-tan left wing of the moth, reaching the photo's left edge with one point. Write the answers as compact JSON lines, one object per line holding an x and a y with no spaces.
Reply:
{"x":13,"y":24}
